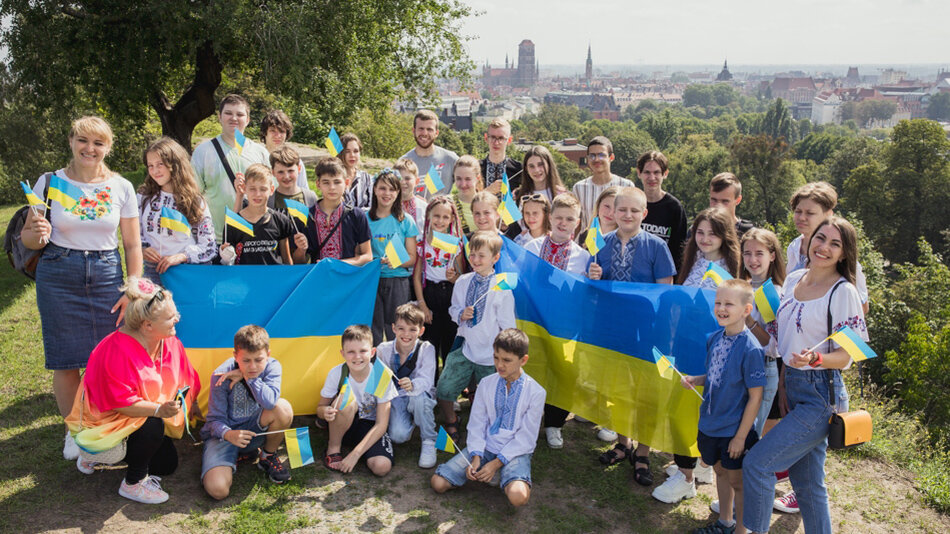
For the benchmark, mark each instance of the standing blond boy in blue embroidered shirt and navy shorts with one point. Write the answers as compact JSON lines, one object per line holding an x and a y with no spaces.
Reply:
{"x":734,"y":380}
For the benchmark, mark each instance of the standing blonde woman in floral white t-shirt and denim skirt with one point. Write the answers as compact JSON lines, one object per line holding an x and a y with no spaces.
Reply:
{"x":79,"y":273}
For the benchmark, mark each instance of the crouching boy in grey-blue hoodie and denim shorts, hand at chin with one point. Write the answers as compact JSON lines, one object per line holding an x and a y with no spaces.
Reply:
{"x":244,"y":402}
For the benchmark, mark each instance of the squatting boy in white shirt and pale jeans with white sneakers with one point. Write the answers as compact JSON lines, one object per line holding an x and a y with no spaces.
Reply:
{"x":413,"y":362}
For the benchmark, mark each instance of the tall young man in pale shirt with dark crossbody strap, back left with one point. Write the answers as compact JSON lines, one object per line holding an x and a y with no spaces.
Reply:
{"x":213,"y":180}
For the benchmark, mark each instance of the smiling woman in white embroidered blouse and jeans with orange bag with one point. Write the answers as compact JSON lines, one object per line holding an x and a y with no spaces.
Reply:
{"x":817,"y":302}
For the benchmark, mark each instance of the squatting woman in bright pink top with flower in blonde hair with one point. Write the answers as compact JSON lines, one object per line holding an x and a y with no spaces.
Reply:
{"x":130,"y":393}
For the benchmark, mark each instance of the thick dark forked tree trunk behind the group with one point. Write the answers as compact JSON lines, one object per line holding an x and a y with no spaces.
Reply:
{"x":196,"y":104}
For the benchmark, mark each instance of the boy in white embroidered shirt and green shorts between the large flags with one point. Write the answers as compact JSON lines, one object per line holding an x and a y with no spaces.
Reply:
{"x":481,"y":314}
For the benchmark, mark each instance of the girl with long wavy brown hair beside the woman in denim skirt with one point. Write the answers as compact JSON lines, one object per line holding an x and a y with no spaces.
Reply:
{"x":174,"y":220}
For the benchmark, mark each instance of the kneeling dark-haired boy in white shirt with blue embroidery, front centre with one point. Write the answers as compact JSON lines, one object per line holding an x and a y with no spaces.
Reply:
{"x":502,"y":428}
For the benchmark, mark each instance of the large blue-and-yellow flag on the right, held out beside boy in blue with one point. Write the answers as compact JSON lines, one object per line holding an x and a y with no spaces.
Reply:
{"x":592,"y":348}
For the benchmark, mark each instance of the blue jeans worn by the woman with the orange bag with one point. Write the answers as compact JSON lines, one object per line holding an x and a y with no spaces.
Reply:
{"x":797,"y":443}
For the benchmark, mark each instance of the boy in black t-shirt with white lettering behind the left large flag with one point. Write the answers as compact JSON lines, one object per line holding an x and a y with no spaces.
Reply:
{"x":272,"y":230}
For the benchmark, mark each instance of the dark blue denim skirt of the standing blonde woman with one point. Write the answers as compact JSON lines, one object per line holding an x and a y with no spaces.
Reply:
{"x":75,"y":293}
